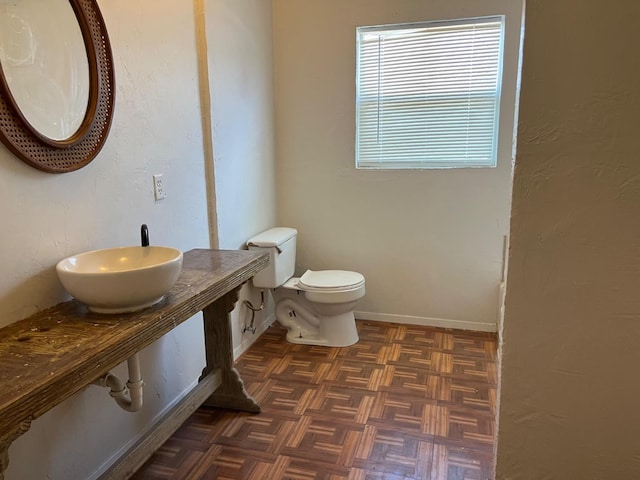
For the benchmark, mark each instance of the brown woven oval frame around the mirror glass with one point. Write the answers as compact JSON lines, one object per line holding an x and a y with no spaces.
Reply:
{"x":67,"y":155}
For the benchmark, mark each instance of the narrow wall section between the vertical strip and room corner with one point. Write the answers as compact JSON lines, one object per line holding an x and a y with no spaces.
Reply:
{"x":240,"y":69}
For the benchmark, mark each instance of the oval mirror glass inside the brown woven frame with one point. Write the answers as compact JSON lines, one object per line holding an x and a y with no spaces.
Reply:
{"x":45,"y":65}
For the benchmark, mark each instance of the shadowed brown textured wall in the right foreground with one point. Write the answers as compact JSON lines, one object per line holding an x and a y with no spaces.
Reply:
{"x":570,"y":389}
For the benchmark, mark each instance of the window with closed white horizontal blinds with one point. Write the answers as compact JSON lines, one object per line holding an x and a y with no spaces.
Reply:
{"x":428,"y":94}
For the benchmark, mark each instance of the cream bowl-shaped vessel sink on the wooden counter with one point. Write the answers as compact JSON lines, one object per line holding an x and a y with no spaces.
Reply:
{"x":123,"y":279}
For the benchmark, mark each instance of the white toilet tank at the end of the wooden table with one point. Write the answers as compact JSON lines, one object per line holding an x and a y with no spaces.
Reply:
{"x":281,"y":244}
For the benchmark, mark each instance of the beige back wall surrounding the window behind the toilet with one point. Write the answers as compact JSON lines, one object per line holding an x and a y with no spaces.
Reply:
{"x":429,"y":242}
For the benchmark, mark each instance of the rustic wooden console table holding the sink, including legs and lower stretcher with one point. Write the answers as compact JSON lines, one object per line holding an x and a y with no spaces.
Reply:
{"x":48,"y":357}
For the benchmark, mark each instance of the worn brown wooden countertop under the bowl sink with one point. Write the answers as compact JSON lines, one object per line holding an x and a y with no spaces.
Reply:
{"x":46,"y":358}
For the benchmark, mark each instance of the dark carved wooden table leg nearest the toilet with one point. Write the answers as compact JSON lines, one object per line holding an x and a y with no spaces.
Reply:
{"x":219,"y":353}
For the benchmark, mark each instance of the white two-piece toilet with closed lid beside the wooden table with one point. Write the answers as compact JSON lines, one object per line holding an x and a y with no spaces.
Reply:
{"x":315,"y":308}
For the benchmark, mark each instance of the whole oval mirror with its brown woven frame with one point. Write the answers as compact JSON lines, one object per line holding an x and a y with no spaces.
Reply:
{"x":56,"y":82}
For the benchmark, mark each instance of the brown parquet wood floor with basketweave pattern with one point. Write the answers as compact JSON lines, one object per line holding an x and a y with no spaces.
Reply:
{"x":405,"y":402}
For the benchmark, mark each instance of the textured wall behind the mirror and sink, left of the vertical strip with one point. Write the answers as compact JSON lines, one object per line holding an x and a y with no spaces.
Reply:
{"x":45,"y":217}
